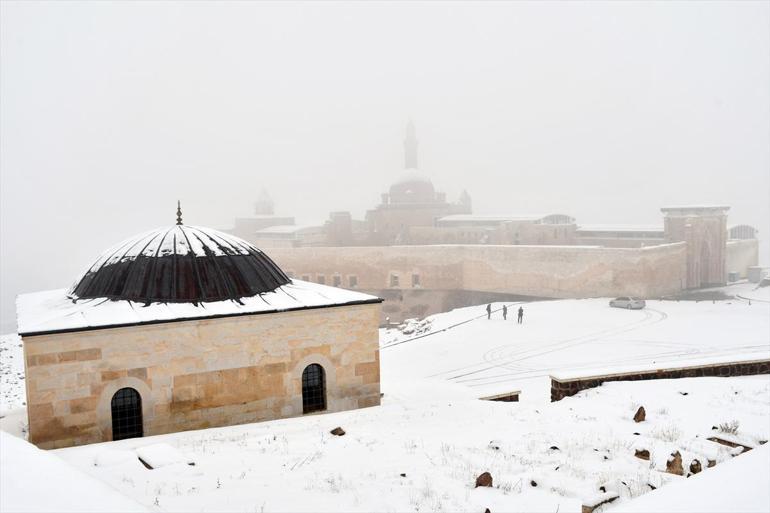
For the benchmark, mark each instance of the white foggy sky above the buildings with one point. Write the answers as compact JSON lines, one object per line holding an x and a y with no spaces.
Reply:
{"x":110,"y":112}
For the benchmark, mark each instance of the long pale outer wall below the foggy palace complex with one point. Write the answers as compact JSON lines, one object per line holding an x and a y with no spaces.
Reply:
{"x":538,"y":271}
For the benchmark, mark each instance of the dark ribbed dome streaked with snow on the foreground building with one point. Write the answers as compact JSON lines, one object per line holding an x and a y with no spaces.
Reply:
{"x":180,"y":264}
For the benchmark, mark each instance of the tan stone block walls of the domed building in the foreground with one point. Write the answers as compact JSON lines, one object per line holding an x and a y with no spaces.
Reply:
{"x":200,"y":373}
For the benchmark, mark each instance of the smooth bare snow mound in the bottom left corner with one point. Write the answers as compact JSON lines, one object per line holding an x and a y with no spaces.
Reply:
{"x":38,"y":481}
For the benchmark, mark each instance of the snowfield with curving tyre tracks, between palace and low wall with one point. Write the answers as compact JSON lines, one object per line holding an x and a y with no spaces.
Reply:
{"x":573,"y":337}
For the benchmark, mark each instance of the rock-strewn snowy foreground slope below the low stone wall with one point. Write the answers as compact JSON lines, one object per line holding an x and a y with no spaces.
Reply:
{"x":441,"y":442}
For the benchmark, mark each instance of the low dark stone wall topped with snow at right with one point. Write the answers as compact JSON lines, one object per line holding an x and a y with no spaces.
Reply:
{"x":561,"y":388}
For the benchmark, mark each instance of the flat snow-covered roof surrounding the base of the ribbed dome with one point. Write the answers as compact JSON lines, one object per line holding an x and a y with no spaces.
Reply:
{"x":54,"y":311}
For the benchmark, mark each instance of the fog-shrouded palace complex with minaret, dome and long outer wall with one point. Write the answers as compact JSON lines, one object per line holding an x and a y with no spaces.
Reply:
{"x":425,"y":255}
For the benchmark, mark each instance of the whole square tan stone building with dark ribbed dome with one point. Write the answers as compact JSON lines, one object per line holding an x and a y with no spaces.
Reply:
{"x":187,"y":328}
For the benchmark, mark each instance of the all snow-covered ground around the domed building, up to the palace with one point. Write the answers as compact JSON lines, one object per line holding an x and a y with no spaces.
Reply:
{"x":424,"y":447}
